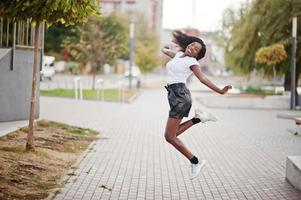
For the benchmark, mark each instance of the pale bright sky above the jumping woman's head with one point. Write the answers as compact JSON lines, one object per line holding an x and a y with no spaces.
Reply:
{"x":208,"y":13}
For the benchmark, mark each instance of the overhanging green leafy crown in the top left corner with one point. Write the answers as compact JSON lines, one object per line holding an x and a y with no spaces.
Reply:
{"x":64,"y":11}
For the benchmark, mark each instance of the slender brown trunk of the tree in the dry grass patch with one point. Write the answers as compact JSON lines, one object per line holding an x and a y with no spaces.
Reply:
{"x":30,"y":138}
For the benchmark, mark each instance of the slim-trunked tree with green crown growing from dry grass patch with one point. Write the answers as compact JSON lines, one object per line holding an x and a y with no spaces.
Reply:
{"x":51,"y":11}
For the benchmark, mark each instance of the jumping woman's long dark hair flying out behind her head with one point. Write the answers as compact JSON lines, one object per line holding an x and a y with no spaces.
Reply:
{"x":184,"y":40}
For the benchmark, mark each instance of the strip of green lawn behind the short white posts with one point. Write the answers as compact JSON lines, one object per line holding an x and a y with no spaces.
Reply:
{"x":109,"y":94}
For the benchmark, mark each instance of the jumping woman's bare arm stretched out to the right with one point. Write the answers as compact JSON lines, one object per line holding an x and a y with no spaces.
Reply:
{"x":197,"y":72}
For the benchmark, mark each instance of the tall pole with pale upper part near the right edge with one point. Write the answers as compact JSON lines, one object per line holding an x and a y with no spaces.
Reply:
{"x":293,"y":64}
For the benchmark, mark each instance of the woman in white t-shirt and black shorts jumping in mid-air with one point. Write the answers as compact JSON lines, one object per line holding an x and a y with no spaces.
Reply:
{"x":179,"y":68}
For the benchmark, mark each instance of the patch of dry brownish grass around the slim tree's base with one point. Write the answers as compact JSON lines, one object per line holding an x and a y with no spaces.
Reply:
{"x":33,"y":175}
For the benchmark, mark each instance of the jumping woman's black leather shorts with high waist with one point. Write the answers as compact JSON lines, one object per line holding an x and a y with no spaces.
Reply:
{"x":179,"y":99}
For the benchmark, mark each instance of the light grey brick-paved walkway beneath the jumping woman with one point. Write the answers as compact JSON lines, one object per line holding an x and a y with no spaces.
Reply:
{"x":245,"y":150}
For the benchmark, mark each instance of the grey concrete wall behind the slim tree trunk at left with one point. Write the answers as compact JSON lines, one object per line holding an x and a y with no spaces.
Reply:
{"x":15,"y":85}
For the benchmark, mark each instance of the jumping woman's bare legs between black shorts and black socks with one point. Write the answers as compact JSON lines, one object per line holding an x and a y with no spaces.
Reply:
{"x":172,"y":128}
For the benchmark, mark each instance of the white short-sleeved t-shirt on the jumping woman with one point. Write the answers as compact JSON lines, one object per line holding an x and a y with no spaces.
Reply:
{"x":178,"y":68}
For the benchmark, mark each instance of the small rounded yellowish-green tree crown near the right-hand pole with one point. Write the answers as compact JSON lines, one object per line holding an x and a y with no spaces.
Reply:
{"x":271,"y":55}
